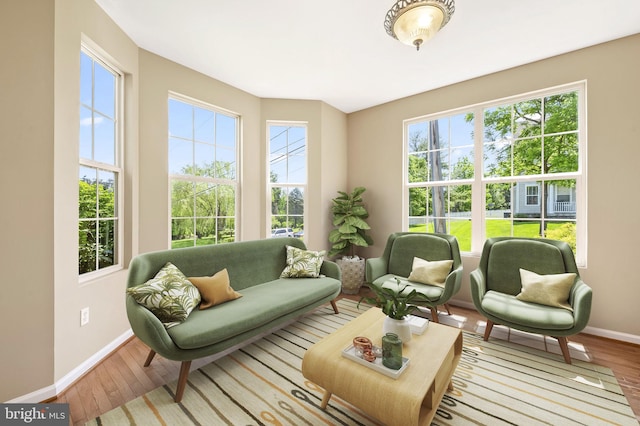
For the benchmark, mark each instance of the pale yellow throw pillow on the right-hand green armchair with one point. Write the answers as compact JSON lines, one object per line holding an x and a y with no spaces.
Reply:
{"x":551,"y":290}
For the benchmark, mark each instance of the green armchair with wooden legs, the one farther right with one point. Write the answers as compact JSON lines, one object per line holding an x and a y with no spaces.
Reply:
{"x":497,"y":281}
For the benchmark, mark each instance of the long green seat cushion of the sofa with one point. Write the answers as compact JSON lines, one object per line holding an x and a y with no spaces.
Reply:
{"x":259,"y":305}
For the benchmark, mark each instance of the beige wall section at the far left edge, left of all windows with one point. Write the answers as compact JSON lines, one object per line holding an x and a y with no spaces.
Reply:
{"x":26,"y":187}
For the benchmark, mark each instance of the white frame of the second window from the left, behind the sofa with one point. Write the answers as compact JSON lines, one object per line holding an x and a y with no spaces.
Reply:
{"x":195,"y":179}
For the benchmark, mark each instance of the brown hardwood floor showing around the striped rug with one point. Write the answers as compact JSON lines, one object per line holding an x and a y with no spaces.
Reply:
{"x":121,"y":377}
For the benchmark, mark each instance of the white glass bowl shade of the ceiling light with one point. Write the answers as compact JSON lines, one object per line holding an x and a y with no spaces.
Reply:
{"x":418,"y":24}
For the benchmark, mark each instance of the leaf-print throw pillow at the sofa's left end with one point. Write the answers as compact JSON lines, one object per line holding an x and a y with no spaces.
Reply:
{"x":169,"y":295}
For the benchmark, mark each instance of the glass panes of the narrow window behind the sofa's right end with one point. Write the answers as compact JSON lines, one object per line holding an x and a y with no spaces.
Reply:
{"x":287,"y":177}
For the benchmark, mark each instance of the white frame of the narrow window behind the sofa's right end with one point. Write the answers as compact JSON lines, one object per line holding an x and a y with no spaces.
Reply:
{"x":271,"y":185}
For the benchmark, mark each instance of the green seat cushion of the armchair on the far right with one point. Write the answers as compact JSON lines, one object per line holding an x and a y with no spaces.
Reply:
{"x":533,"y":315}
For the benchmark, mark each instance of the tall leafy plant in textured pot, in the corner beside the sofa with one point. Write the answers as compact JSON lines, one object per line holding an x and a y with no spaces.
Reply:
{"x":349,"y":214}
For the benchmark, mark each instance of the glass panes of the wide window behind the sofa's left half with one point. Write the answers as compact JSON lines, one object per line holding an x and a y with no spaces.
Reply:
{"x":203,"y":169}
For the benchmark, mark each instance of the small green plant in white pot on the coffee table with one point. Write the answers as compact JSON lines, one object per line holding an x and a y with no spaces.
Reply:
{"x":397,"y":305}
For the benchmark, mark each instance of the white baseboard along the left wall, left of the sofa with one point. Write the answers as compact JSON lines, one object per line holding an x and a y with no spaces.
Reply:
{"x":58,"y":387}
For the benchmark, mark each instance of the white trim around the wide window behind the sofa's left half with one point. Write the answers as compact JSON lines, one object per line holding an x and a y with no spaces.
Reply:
{"x":218,"y":110}
